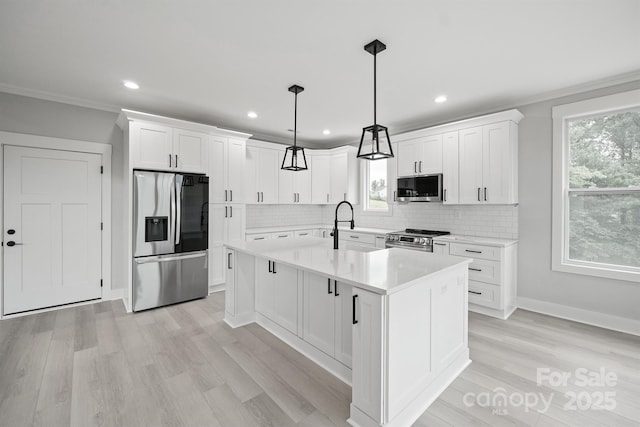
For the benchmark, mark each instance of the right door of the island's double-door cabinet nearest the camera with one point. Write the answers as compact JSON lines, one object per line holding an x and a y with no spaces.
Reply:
{"x":343,"y":323}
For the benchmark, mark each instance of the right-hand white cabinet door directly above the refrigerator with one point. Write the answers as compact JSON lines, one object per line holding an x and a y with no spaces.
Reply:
{"x":190,"y":150}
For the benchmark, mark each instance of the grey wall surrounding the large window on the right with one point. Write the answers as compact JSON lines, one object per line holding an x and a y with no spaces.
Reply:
{"x":536,"y":281}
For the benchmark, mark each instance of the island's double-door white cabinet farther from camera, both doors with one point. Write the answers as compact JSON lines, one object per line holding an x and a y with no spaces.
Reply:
{"x":277,"y":293}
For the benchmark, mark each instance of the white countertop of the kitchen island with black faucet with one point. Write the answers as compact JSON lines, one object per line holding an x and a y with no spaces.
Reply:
{"x":383,"y":271}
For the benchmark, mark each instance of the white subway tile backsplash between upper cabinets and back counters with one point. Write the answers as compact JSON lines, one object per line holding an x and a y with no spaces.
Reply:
{"x":486,"y":220}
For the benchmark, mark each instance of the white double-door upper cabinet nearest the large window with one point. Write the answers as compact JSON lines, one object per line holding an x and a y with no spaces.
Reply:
{"x":488,"y":164}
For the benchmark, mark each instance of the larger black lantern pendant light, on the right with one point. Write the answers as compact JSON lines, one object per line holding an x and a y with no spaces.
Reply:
{"x":375,"y":143}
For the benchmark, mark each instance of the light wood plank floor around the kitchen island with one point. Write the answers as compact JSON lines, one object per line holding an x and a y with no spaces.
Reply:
{"x":96,"y":365}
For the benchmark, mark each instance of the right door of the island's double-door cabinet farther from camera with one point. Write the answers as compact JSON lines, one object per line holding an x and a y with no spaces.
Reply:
{"x":286,"y":300}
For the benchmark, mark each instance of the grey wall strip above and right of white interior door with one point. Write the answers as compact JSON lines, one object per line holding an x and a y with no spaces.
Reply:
{"x":32,"y":116}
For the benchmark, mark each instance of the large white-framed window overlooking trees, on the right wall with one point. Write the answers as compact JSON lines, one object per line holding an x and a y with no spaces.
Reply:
{"x":596,"y":184}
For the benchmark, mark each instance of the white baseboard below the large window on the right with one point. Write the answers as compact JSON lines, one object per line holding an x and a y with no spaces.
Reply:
{"x":602,"y":320}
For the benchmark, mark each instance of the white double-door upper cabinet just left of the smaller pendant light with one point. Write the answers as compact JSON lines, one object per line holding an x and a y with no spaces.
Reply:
{"x":261,"y":177}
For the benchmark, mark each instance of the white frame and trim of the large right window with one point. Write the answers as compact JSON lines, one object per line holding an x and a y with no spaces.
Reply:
{"x":561,"y":114}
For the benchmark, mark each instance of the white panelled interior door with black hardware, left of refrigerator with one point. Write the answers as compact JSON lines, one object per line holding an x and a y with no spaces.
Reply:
{"x":52,"y":214}
